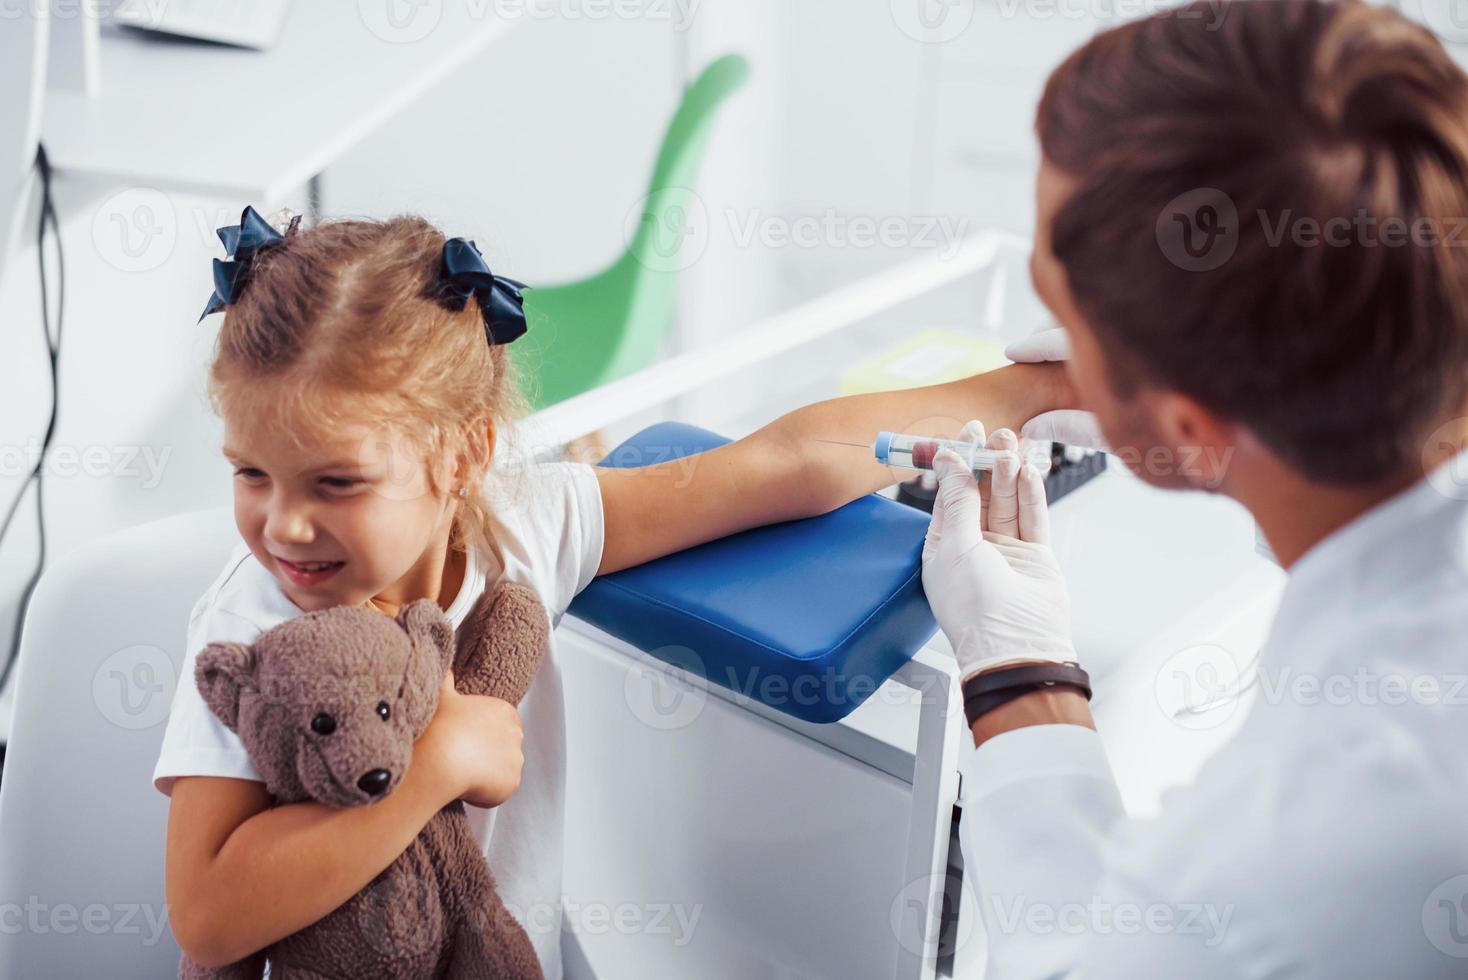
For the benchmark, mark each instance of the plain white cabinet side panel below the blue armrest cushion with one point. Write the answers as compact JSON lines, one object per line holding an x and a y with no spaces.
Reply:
{"x":730,"y":847}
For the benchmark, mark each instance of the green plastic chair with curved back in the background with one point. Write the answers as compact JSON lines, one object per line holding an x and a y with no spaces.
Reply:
{"x":600,"y":329}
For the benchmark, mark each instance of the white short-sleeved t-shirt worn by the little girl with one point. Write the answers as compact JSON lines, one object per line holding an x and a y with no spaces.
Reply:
{"x":547,"y":533}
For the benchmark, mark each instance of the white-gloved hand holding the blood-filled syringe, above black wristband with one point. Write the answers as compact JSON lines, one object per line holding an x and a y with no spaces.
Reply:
{"x":990,"y":576}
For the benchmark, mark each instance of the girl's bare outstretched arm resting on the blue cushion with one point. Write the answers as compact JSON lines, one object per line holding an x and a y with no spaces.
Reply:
{"x":783,"y":472}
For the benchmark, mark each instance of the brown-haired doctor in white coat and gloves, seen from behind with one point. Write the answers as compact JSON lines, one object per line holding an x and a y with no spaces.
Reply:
{"x":1253,"y":234}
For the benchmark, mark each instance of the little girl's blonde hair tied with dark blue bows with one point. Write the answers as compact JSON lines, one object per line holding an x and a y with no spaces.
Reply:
{"x":343,"y":325}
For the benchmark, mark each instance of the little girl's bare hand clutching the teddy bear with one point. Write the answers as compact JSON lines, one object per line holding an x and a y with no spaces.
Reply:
{"x":476,"y":746}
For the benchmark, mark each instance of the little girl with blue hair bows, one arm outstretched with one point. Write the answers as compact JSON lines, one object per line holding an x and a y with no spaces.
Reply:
{"x":363,"y":376}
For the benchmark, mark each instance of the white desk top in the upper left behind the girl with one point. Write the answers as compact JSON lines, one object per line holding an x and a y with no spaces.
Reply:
{"x":189,"y":115}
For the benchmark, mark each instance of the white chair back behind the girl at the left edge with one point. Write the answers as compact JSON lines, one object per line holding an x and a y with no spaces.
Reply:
{"x":81,"y":827}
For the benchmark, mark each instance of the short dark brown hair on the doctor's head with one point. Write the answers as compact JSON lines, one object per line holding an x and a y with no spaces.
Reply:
{"x":1326,"y":145}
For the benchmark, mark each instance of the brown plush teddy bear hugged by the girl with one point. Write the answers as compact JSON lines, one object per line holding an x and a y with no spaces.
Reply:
{"x":330,"y":705}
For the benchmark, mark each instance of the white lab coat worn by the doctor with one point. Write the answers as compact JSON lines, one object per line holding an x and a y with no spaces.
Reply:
{"x":1328,"y":840}
